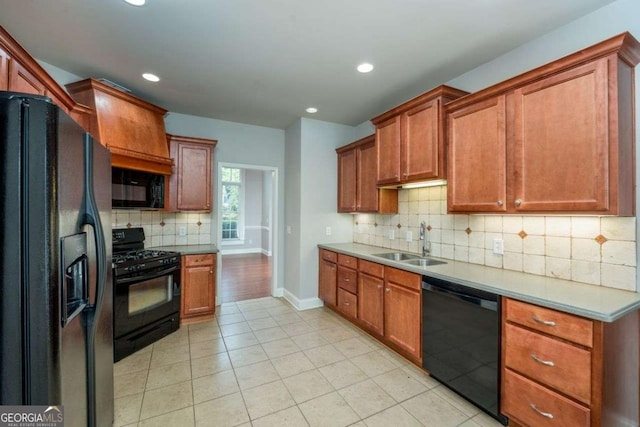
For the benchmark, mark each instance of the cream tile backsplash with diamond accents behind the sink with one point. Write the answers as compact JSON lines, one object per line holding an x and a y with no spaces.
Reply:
{"x":589,"y":249}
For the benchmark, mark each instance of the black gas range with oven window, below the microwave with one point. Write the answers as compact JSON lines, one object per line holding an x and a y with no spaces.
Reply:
{"x":146,"y":292}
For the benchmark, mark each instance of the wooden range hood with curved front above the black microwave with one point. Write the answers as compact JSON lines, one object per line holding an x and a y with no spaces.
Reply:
{"x":132,"y":129}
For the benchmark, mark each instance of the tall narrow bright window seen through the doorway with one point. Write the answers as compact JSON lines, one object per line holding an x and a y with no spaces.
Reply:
{"x":231,"y":203}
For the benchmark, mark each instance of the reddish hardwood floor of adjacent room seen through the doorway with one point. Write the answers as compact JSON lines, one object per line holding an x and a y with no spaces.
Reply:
{"x":245,"y":276}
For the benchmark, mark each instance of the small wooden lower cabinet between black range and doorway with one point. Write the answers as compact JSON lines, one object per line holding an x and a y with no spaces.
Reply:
{"x":198,"y":287}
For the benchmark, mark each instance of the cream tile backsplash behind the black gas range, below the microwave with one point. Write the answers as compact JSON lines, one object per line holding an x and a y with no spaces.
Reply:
{"x":163,"y":228}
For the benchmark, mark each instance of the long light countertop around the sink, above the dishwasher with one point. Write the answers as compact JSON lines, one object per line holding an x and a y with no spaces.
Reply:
{"x":594,"y":302}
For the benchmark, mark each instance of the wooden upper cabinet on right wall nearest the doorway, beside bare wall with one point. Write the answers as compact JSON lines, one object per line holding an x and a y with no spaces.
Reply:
{"x":357,"y":189}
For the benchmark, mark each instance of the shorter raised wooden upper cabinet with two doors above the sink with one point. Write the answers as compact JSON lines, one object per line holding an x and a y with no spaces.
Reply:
{"x":409,"y":138}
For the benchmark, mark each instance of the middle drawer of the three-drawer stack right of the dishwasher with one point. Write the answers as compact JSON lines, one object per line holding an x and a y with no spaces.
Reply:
{"x":563,"y":366}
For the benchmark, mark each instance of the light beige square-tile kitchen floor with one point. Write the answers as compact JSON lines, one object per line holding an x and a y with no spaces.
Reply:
{"x":262,"y":363}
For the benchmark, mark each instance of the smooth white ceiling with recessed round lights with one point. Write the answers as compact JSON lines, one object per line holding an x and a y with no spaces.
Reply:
{"x":264,"y":61}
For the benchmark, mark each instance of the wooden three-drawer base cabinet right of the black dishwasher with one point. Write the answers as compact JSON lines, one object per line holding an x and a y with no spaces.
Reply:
{"x":564,"y":370}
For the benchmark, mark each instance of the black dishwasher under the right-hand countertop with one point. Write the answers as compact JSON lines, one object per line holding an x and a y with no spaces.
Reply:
{"x":461,"y":341}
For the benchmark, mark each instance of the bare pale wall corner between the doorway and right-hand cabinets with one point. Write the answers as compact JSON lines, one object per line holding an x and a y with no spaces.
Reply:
{"x":312,"y":202}
